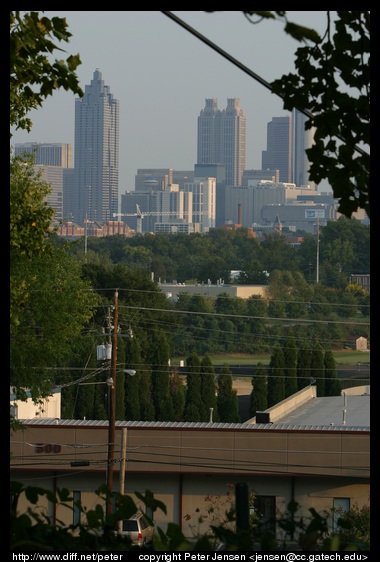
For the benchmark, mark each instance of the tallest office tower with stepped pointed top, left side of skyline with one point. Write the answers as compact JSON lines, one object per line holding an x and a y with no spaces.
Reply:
{"x":96,"y":151}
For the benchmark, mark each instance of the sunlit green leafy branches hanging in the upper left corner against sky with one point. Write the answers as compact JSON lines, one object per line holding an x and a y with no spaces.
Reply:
{"x":33,"y":75}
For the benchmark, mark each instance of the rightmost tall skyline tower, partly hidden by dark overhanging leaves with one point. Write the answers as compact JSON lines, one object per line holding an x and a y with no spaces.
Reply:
{"x":301,"y":141}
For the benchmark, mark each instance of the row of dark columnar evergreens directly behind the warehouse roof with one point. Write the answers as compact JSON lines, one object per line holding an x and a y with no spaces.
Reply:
{"x":159,"y":392}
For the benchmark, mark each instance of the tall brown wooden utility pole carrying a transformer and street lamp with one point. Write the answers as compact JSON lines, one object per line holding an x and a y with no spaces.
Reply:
{"x":112,"y":410}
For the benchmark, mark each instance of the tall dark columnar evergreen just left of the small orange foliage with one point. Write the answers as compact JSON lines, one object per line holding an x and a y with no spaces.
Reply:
{"x":159,"y":358}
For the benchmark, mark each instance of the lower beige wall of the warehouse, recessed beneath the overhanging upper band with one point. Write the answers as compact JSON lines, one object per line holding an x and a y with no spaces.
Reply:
{"x":184,"y":495}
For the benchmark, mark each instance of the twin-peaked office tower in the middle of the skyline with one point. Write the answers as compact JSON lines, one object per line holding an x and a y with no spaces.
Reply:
{"x":222,"y":138}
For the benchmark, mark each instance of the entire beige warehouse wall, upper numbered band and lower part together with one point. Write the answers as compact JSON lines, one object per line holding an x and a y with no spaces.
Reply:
{"x":184,"y":465}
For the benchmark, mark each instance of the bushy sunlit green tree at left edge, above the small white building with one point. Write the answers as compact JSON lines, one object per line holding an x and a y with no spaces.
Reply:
{"x":59,"y":306}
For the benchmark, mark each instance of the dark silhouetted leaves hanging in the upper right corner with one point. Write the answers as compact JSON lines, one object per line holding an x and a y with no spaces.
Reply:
{"x":332,"y":84}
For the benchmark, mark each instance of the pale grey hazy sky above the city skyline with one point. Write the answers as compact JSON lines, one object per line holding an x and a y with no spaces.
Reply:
{"x":162,"y":75}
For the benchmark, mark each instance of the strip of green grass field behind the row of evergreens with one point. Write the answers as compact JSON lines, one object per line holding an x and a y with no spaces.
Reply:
{"x":342,"y":357}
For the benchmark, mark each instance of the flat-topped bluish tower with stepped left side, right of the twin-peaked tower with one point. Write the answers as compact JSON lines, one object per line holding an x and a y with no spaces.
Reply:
{"x":278,"y":154}
